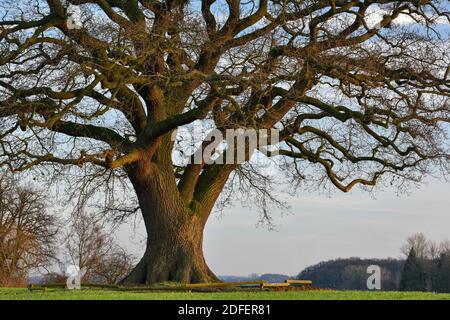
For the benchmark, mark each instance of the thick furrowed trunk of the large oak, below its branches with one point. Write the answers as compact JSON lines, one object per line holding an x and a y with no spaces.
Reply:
{"x":174,"y":233}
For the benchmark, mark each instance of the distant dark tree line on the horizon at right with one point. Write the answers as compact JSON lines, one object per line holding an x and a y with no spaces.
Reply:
{"x":426,"y":268}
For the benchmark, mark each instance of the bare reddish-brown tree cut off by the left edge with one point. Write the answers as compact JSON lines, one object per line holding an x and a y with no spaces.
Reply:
{"x":27,"y":232}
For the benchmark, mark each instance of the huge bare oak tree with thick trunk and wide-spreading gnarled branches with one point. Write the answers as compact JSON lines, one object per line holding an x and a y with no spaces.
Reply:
{"x":358,"y":90}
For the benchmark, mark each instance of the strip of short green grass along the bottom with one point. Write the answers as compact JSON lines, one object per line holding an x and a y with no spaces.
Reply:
{"x":89,"y":294}
